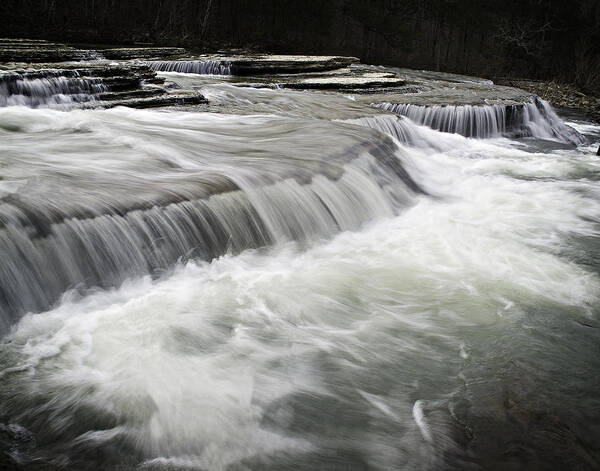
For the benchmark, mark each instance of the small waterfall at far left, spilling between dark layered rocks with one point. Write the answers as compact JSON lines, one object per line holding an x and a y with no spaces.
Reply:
{"x":34,"y":90}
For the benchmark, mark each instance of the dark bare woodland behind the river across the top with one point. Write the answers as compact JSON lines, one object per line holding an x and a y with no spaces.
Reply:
{"x":545,"y":39}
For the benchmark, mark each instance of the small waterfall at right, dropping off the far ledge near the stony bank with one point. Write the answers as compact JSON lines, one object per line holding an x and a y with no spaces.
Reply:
{"x":533,"y":119}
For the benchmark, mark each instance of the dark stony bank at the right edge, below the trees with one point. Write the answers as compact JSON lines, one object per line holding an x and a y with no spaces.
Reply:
{"x":559,"y":95}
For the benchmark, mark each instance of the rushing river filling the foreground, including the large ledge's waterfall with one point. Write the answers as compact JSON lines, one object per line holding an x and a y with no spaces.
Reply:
{"x":295,"y":289}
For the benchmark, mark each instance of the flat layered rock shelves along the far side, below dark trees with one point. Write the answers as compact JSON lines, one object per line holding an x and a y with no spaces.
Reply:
{"x":138,"y":79}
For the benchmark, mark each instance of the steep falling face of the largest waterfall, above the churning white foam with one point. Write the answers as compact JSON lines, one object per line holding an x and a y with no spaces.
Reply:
{"x":43,"y":259}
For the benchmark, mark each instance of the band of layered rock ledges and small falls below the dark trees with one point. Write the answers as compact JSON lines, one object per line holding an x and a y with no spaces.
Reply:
{"x":145,"y":77}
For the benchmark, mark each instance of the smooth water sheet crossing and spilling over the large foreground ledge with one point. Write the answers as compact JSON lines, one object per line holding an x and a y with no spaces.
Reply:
{"x":184,"y":186}
